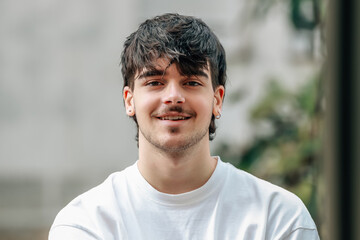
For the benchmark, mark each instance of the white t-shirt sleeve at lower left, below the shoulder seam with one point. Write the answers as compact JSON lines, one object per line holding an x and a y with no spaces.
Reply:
{"x":68,"y":232}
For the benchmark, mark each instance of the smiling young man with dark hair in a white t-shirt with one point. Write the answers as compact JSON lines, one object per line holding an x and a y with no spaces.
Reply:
{"x":174,"y":74}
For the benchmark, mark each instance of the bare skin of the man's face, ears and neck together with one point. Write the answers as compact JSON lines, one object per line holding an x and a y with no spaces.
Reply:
{"x":173,"y":113}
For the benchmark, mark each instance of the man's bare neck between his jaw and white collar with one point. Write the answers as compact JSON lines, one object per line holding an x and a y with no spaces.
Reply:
{"x":176,"y":172}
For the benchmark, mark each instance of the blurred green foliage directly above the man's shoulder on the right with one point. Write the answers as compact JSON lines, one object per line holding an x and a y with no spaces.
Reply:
{"x":286,"y":150}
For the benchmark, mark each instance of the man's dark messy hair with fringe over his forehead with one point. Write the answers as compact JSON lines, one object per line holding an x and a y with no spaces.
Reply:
{"x":184,"y":40}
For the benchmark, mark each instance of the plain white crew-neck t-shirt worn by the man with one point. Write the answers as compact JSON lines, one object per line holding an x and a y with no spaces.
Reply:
{"x":232,"y":204}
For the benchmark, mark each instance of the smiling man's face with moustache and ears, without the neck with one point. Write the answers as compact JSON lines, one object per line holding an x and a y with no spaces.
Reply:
{"x":173,"y":111}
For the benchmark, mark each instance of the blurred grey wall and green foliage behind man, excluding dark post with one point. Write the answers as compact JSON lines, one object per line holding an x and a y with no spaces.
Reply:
{"x":63,"y":128}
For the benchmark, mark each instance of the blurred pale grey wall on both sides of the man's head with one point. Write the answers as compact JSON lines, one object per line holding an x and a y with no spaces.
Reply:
{"x":63,"y":128}
